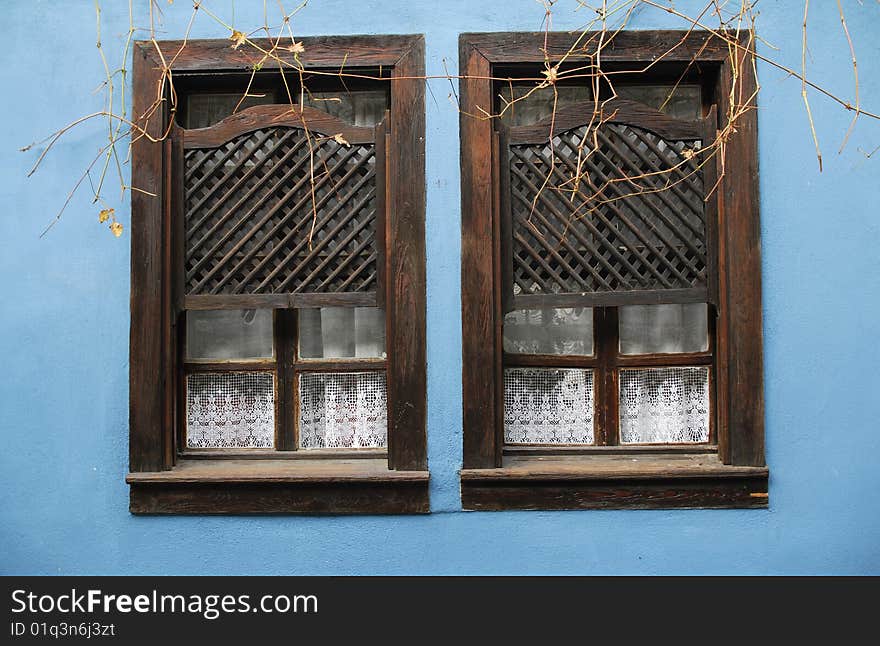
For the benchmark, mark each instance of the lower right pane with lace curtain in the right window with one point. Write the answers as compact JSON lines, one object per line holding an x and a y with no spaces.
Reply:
{"x":664,"y":405}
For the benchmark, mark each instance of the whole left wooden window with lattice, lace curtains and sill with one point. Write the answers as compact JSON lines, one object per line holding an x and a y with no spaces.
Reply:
{"x":278,"y":296}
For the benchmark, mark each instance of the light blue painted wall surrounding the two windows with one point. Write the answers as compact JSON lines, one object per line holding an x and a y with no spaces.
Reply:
{"x":64,"y":340}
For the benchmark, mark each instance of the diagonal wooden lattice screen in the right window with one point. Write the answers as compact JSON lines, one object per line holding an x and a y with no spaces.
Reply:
{"x":611,"y":210}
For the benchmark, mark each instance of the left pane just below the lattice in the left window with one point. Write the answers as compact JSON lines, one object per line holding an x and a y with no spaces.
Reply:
{"x":228,"y":334}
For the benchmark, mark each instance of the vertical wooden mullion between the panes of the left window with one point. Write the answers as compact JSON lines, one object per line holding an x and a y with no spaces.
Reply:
{"x":286,"y":336}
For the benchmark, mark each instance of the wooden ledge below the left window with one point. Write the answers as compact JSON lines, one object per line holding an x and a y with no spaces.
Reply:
{"x":323,"y":486}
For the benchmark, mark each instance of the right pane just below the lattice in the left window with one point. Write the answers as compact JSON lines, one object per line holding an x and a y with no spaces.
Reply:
{"x":339,"y":332}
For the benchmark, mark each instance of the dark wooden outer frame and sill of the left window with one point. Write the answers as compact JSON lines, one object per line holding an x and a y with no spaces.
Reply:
{"x":163,"y":481}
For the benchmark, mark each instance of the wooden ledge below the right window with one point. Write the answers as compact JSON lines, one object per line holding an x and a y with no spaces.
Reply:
{"x":665,"y":481}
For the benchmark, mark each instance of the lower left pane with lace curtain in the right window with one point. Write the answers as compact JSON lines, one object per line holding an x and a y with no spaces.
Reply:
{"x":548,"y":406}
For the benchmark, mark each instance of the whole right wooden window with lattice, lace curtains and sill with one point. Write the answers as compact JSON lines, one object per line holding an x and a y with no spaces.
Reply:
{"x":610,"y":297}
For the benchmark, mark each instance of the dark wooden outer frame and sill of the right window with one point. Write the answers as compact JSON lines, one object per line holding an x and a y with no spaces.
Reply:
{"x":732,"y":475}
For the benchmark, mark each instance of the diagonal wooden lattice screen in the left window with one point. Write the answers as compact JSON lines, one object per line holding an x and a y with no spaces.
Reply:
{"x":252,"y":202}
